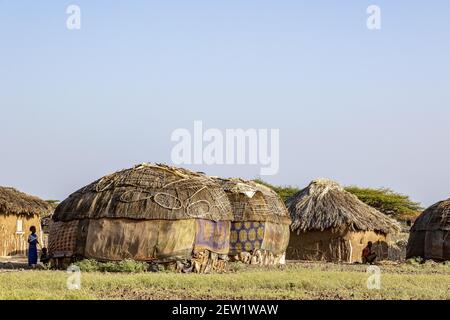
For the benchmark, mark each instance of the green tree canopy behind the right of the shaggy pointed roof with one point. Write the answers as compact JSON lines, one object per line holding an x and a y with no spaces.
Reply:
{"x":387,"y":201}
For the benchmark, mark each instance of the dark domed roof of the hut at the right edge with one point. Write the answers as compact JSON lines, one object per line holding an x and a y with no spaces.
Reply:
{"x":436,"y":217}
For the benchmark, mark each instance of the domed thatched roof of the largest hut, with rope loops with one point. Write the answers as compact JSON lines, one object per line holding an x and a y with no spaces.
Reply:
{"x":148,"y":191}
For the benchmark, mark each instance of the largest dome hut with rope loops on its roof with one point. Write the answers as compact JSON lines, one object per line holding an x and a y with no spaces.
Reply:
{"x":152,"y":213}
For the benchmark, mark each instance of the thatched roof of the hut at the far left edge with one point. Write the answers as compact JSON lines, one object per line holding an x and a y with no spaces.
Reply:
{"x":13,"y":201}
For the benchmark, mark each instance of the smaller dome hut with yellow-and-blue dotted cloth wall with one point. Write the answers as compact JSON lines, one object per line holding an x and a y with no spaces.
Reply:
{"x":260,"y":227}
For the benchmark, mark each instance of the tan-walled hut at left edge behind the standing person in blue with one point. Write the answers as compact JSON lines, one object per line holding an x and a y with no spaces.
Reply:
{"x":18,"y":212}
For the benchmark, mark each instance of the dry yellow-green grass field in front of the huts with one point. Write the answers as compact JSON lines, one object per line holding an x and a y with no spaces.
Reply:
{"x":295,"y":281}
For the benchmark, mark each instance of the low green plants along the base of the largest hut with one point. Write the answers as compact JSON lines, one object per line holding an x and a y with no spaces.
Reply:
{"x":125,"y":266}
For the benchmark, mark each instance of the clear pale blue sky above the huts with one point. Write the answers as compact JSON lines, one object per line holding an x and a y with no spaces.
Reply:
{"x":362,"y":107}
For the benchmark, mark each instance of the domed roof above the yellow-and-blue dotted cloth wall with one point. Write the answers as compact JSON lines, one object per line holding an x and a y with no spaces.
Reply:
{"x":252,"y":201}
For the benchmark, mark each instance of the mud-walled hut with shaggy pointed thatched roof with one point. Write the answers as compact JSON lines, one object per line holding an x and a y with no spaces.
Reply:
{"x":331,"y":224}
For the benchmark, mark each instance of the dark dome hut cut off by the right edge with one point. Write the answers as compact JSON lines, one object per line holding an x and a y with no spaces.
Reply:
{"x":430,"y":235}
